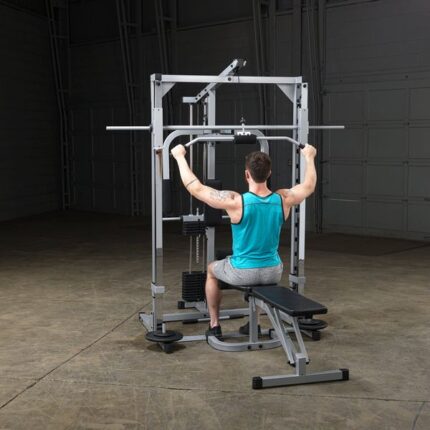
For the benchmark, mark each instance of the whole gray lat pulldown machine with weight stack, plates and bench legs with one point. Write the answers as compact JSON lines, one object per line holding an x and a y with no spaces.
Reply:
{"x":199,"y":225}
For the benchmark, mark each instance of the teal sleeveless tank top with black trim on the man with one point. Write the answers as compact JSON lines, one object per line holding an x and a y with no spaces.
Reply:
{"x":256,"y":235}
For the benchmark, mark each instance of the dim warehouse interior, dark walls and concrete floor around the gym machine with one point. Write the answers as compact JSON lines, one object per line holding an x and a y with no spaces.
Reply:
{"x":76,"y":210}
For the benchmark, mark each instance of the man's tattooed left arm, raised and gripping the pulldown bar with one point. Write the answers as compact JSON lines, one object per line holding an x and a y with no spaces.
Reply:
{"x":227,"y":200}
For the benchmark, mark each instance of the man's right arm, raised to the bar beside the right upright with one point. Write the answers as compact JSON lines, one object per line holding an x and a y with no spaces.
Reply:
{"x":300,"y":192}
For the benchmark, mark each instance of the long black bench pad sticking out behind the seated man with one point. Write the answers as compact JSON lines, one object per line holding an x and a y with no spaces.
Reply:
{"x":288,"y":301}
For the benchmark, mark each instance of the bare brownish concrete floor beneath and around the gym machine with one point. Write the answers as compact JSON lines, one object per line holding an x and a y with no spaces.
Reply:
{"x":74,"y":356}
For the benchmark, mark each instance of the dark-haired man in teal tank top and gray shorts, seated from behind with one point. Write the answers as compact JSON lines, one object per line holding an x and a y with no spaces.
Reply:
{"x":256,"y":220}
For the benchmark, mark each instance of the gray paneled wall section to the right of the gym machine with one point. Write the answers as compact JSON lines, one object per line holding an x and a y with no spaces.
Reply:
{"x":378,"y":85}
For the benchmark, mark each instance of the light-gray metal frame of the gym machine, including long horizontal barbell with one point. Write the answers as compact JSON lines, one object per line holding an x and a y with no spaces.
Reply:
{"x":297,"y":93}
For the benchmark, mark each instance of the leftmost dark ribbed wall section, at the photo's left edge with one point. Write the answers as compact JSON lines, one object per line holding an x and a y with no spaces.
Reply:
{"x":29,"y":172}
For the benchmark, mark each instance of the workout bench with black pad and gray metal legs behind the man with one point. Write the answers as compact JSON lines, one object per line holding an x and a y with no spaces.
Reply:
{"x":273,"y":300}
